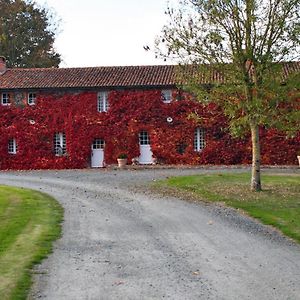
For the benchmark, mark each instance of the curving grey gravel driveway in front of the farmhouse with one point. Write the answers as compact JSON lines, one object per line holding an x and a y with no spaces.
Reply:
{"x":120,"y":243}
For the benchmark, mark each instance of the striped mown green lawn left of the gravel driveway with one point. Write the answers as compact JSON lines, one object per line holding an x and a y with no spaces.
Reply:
{"x":29,"y":222}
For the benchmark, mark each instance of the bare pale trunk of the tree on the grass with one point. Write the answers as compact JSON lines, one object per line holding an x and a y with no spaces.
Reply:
{"x":255,"y":179}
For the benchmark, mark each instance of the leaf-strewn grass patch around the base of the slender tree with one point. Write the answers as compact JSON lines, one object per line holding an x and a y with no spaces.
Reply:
{"x":278,"y":204}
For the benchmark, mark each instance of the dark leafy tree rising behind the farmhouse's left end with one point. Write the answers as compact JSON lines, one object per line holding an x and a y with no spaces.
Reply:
{"x":27,"y":34}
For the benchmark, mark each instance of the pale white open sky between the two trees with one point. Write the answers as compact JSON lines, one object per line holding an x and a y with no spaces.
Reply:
{"x":107,"y":32}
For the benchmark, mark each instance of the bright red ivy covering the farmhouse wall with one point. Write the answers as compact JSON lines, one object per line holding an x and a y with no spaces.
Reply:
{"x":130,"y":112}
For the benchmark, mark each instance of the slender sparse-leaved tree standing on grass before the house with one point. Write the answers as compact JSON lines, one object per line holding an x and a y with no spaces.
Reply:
{"x":247,"y":44}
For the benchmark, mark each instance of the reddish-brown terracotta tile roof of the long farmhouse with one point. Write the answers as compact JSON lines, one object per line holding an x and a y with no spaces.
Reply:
{"x":104,"y":77}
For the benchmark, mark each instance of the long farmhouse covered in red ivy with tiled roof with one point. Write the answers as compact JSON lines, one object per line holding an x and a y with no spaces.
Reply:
{"x":86,"y":117}
